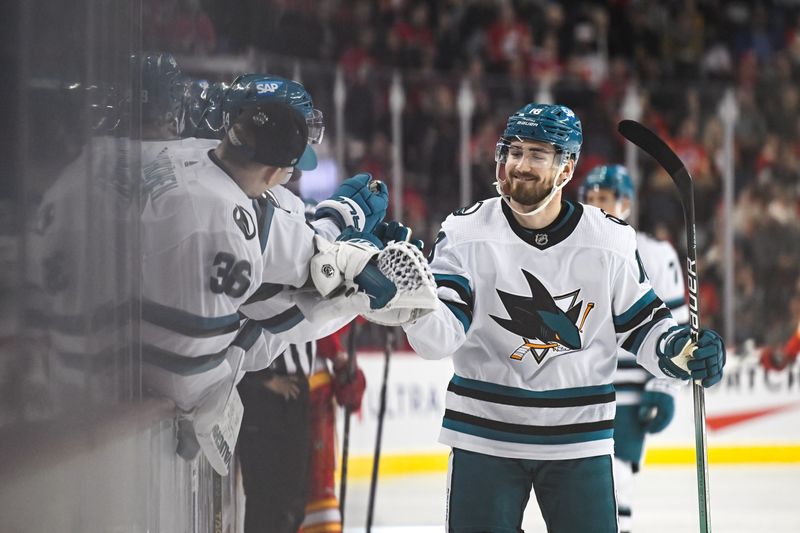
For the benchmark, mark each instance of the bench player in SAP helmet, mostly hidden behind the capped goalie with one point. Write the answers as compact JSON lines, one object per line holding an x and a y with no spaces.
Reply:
{"x":359,"y":204}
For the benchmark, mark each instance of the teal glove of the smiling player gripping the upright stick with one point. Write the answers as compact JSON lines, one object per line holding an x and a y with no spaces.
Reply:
{"x":679,"y":358}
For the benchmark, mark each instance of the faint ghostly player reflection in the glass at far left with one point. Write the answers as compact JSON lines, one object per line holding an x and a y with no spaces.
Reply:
{"x":75,"y":274}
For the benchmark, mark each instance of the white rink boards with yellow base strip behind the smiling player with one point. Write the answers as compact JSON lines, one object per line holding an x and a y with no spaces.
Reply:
{"x":753,"y":416}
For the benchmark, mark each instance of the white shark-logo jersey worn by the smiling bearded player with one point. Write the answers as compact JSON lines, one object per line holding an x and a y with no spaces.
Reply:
{"x":533,"y":320}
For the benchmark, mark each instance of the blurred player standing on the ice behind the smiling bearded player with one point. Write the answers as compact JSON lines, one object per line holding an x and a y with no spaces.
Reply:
{"x":645,"y":404}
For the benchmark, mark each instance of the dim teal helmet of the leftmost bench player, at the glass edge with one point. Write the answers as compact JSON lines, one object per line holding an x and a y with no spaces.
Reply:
{"x":162,"y":91}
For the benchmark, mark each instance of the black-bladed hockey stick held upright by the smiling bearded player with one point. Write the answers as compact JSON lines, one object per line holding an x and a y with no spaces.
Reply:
{"x":663,"y":154}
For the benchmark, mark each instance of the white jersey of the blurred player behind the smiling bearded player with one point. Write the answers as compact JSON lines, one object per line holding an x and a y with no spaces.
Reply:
{"x":666,"y":276}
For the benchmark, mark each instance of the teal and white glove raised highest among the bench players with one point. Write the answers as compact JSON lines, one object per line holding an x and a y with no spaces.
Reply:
{"x":359,"y":201}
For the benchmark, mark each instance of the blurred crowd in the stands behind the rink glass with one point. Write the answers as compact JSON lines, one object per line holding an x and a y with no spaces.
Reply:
{"x":682,"y":55}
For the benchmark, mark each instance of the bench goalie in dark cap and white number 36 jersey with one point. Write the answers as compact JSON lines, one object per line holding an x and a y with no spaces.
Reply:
{"x":191,"y":197}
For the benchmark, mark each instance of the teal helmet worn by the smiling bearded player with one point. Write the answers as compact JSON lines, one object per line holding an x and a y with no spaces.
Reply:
{"x":552,"y":124}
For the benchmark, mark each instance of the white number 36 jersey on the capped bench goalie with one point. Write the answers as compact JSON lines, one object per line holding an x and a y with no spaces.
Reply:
{"x":201,"y":260}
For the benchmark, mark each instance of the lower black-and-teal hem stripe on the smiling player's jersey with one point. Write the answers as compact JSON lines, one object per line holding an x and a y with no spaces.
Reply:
{"x":505,"y":431}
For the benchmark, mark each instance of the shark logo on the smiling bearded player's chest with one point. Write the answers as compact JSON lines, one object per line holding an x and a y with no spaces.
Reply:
{"x":543,"y":321}
